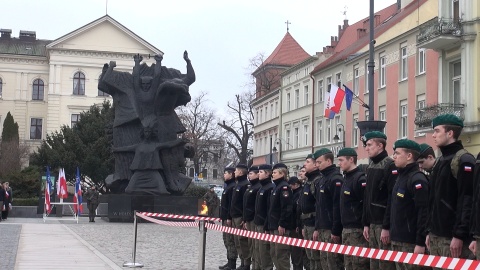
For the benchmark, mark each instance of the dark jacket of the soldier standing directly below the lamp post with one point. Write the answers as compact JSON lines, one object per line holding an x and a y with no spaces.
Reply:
{"x":381,"y":175}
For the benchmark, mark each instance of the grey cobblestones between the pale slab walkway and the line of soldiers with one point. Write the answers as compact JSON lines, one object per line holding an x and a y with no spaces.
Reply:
{"x":158,"y":246}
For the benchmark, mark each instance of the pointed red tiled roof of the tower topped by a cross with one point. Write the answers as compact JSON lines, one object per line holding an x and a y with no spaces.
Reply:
{"x":287,"y":53}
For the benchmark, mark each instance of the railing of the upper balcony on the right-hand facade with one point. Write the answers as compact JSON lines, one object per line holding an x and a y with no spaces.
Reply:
{"x":439,"y":27}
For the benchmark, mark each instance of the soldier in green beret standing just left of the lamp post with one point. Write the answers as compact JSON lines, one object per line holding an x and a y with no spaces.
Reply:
{"x":351,"y":207}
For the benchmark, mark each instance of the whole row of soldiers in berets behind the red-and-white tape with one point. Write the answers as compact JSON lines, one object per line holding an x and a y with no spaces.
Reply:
{"x":390,"y":204}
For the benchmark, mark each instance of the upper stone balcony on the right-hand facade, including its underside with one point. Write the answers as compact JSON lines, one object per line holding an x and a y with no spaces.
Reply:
{"x":440,"y":33}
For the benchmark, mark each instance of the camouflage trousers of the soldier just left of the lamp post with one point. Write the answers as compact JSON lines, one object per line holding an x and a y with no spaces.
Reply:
{"x":354,"y":237}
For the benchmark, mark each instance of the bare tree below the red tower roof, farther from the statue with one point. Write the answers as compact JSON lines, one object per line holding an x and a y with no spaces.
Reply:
{"x":239,"y":130}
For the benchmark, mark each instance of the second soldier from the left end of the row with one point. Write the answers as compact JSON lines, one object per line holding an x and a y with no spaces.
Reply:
{"x":236,"y":212}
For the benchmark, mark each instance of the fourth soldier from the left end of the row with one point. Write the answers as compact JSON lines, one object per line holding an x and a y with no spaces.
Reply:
{"x":261,"y":207}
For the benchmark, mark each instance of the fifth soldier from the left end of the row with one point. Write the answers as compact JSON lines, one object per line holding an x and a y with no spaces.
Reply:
{"x":280,"y":220}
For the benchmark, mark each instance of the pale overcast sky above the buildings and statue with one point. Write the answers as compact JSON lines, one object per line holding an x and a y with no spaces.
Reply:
{"x":220,"y":36}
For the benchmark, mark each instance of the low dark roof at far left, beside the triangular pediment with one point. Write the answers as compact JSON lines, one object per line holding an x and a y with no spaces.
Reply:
{"x":16,"y":46}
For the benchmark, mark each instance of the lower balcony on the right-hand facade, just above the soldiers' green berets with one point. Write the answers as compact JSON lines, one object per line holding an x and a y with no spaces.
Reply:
{"x":424,"y":116}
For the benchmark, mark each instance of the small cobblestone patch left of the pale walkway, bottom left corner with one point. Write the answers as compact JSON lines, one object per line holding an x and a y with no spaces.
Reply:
{"x":9,"y":237}
